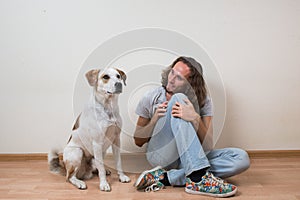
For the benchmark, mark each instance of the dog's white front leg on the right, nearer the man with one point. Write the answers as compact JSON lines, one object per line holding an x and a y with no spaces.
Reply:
{"x":117,"y":156}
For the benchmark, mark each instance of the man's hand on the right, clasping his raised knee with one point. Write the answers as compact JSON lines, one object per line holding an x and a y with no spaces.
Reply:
{"x":184,"y":111}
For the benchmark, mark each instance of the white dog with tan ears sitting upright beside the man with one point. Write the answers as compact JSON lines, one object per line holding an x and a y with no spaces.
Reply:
{"x":96,"y":129}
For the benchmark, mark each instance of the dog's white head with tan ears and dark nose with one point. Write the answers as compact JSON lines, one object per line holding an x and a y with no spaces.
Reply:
{"x":108,"y":81}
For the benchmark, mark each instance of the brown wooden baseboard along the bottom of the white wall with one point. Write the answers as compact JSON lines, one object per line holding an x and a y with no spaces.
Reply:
{"x":252,"y":154}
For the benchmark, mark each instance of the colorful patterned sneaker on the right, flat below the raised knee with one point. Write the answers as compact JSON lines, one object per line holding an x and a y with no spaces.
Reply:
{"x":211,"y":186}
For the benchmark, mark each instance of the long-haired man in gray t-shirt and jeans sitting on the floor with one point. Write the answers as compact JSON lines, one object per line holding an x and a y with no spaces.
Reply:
{"x":174,"y":120}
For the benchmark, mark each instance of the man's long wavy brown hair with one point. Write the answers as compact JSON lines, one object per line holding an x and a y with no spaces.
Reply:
{"x":196,"y":91}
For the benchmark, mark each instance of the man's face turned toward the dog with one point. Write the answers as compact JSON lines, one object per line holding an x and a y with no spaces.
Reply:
{"x":177,"y":78}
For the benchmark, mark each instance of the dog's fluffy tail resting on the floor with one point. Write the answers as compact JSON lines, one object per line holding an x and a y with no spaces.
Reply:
{"x":55,"y":164}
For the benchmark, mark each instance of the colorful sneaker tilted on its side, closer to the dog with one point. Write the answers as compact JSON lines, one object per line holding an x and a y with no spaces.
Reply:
{"x":150,"y":180}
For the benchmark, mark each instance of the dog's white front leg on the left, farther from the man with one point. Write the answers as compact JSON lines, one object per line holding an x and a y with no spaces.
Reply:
{"x":99,"y":162}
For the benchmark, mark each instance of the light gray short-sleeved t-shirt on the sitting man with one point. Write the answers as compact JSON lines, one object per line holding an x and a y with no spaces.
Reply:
{"x":149,"y":102}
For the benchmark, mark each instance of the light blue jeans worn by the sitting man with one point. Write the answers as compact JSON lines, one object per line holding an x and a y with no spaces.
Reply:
{"x":175,"y":146}
